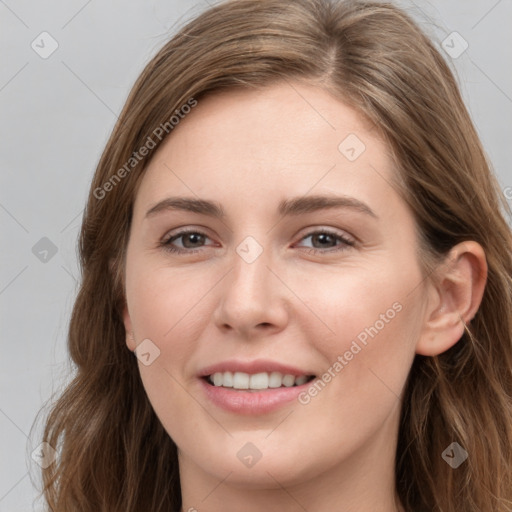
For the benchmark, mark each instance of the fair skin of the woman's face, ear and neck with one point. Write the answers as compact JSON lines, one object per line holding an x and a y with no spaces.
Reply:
{"x":248,"y":150}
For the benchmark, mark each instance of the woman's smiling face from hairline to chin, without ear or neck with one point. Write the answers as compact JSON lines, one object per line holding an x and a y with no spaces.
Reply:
{"x":289,"y":253}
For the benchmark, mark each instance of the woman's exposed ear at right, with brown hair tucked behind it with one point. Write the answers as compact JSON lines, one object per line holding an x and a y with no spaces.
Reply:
{"x":454,"y":296}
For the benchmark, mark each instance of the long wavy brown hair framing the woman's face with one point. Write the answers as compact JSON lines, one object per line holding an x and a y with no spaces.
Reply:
{"x":113,"y":453}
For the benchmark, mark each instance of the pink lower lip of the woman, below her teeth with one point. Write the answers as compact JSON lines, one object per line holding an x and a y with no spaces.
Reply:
{"x":252,"y":402}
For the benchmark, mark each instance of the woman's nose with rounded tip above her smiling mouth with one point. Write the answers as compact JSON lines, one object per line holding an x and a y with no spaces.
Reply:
{"x":253,"y":299}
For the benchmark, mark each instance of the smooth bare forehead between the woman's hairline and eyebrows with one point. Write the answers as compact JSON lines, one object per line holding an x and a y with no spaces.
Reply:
{"x":284,"y":139}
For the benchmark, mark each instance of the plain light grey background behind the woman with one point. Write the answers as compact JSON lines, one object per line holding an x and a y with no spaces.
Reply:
{"x":56,"y":115}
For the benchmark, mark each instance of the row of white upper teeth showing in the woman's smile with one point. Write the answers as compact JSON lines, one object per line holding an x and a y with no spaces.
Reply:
{"x":264,"y":380}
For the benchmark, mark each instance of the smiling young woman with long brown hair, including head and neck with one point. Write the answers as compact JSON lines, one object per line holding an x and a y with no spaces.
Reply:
{"x":294,"y":229}
